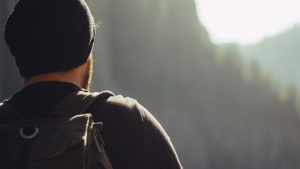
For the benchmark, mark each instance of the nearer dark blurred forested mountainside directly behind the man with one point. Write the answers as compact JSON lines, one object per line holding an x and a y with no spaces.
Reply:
{"x":219,"y":110}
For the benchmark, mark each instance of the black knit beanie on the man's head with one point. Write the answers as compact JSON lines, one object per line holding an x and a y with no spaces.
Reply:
{"x":48,"y":36}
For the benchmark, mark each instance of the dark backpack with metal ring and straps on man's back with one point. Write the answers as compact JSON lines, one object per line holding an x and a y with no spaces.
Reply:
{"x":66,"y":139}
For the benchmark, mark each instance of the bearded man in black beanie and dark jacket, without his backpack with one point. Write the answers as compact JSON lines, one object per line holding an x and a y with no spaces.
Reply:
{"x":52,"y":41}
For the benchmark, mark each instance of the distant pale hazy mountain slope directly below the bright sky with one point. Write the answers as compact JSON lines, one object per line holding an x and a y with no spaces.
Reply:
{"x":279,"y":56}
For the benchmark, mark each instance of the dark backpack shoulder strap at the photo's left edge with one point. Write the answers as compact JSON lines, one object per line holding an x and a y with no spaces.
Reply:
{"x":8,"y":114}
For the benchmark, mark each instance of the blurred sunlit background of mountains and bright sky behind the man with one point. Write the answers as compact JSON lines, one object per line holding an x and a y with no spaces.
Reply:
{"x":222,"y":77}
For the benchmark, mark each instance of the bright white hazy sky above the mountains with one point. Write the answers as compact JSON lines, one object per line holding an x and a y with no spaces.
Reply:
{"x":247,"y":21}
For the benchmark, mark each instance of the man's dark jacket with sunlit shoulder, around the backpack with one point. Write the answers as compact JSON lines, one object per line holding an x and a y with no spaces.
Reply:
{"x":133,"y":137}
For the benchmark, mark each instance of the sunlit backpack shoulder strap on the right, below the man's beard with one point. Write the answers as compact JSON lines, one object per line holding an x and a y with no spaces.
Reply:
{"x":78,"y":102}
